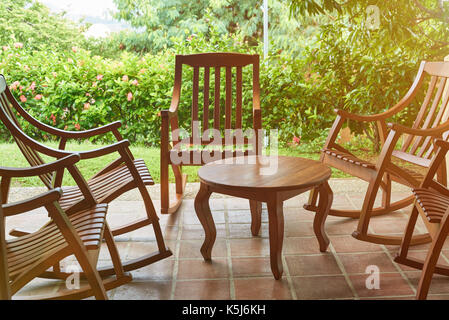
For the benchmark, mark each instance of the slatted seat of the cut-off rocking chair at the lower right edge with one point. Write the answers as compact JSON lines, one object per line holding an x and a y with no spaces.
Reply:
{"x":433,"y":204}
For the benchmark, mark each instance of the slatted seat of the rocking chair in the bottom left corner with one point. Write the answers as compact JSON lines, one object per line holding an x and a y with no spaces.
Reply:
{"x":25,"y":251}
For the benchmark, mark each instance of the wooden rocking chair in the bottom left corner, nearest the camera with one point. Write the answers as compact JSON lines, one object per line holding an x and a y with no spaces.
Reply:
{"x":24,"y":258}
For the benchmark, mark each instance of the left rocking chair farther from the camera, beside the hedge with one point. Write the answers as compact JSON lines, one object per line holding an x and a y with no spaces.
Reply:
{"x":123,"y":174}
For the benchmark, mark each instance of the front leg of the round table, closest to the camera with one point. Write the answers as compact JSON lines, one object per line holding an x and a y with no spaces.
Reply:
{"x":276,"y":229}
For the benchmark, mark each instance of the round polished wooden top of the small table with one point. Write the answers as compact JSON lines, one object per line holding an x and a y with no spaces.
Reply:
{"x":263,"y":173}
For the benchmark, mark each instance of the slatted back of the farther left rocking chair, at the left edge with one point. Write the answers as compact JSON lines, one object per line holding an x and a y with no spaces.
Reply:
{"x":9,"y":107}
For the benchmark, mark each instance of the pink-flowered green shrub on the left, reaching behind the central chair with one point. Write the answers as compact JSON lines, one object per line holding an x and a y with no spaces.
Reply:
{"x":74,"y":90}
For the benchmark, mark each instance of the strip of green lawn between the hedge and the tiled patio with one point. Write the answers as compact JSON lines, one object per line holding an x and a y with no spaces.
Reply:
{"x":12,"y":157}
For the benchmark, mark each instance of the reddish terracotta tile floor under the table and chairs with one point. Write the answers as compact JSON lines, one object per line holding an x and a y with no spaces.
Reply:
{"x":240,"y":267}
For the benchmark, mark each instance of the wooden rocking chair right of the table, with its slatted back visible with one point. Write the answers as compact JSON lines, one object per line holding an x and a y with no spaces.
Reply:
{"x":394,"y":164}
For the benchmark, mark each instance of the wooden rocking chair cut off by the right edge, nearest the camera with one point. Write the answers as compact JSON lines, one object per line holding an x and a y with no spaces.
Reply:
{"x":432,"y":205}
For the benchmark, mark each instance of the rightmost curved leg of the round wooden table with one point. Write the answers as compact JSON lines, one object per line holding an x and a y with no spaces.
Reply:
{"x":326,"y":198}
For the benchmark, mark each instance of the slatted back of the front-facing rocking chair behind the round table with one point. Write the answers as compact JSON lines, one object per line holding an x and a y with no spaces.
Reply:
{"x":212,"y":113}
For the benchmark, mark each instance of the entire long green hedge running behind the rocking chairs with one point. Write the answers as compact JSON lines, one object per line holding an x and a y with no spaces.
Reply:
{"x":75,"y":90}
